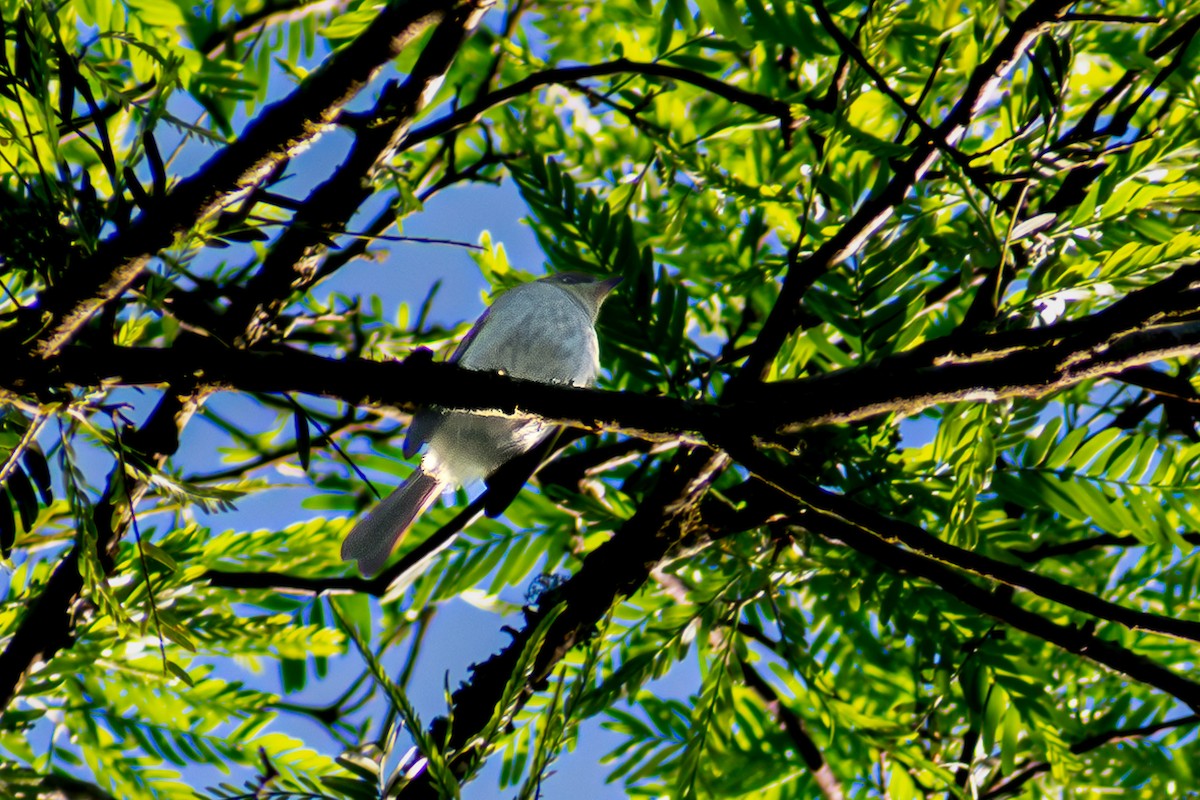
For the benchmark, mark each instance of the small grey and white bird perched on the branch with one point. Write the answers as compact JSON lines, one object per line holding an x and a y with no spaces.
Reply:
{"x":544,"y":332}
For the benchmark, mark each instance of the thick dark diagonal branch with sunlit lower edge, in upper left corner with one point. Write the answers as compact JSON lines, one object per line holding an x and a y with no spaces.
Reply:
{"x":281,"y":131}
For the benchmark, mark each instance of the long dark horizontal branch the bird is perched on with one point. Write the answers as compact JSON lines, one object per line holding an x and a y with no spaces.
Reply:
{"x":904,"y":384}
